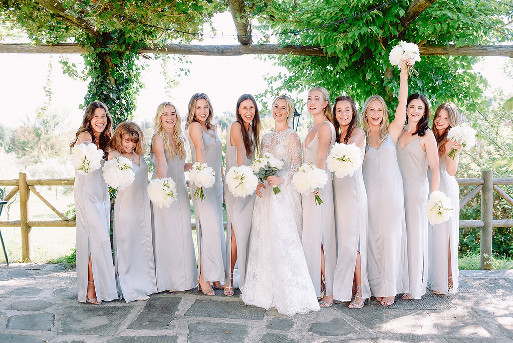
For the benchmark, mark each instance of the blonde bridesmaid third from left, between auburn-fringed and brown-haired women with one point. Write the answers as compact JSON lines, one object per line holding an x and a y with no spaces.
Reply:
{"x":175,"y":262}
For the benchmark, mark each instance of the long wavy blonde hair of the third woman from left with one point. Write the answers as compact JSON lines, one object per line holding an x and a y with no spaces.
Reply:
{"x":176,"y":135}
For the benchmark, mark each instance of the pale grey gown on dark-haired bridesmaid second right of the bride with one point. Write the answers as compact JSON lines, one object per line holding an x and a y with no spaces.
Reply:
{"x":351,"y":224}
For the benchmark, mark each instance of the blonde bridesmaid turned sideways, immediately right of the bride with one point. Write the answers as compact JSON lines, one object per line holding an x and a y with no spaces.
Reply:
{"x":319,"y":240}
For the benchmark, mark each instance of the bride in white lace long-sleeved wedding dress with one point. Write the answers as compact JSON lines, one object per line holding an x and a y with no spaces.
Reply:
{"x":276,"y":272}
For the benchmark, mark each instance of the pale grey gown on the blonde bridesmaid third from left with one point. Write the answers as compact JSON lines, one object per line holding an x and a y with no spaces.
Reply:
{"x":175,"y":260}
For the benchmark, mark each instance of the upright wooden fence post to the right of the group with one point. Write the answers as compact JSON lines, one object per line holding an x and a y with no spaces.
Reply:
{"x":487,"y":217}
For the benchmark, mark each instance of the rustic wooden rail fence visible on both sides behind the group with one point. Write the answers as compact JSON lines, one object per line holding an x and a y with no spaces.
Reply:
{"x":485,"y":185}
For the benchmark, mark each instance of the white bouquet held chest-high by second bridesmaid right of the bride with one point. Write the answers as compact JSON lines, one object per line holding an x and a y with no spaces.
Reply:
{"x":344,"y":159}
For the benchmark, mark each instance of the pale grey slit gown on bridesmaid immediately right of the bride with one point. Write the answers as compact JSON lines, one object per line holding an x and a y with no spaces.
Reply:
{"x":319,"y":224}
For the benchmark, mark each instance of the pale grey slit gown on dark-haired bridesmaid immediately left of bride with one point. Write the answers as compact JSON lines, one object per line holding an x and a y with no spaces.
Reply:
{"x":239,"y":212}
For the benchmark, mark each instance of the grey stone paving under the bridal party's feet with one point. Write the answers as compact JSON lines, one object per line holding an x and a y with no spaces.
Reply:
{"x":38,"y":304}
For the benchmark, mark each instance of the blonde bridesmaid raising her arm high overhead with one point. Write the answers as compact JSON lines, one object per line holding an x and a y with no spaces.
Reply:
{"x":386,"y":233}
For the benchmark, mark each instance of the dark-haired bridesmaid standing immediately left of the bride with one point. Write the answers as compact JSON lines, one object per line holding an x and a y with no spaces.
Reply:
{"x":242,"y":143}
